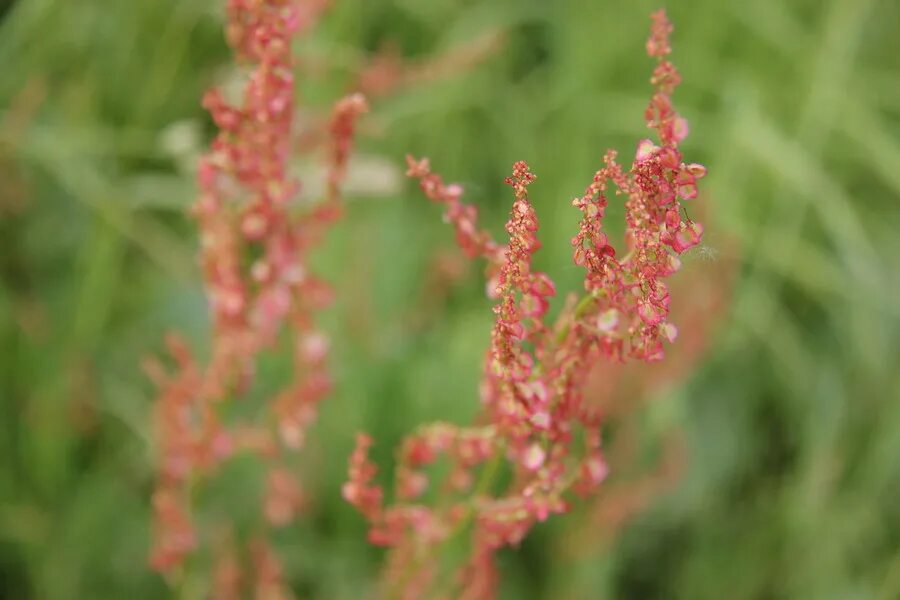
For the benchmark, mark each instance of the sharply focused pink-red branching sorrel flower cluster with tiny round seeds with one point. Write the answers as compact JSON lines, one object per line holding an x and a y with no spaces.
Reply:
{"x":538,"y":441}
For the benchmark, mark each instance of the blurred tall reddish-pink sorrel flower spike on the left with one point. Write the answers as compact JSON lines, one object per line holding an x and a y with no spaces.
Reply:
{"x":255,"y":240}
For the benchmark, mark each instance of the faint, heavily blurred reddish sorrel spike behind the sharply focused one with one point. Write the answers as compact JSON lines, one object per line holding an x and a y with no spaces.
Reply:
{"x":622,"y":391}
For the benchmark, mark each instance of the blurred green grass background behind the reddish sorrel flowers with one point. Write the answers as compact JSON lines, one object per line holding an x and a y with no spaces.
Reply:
{"x":790,"y":486}
